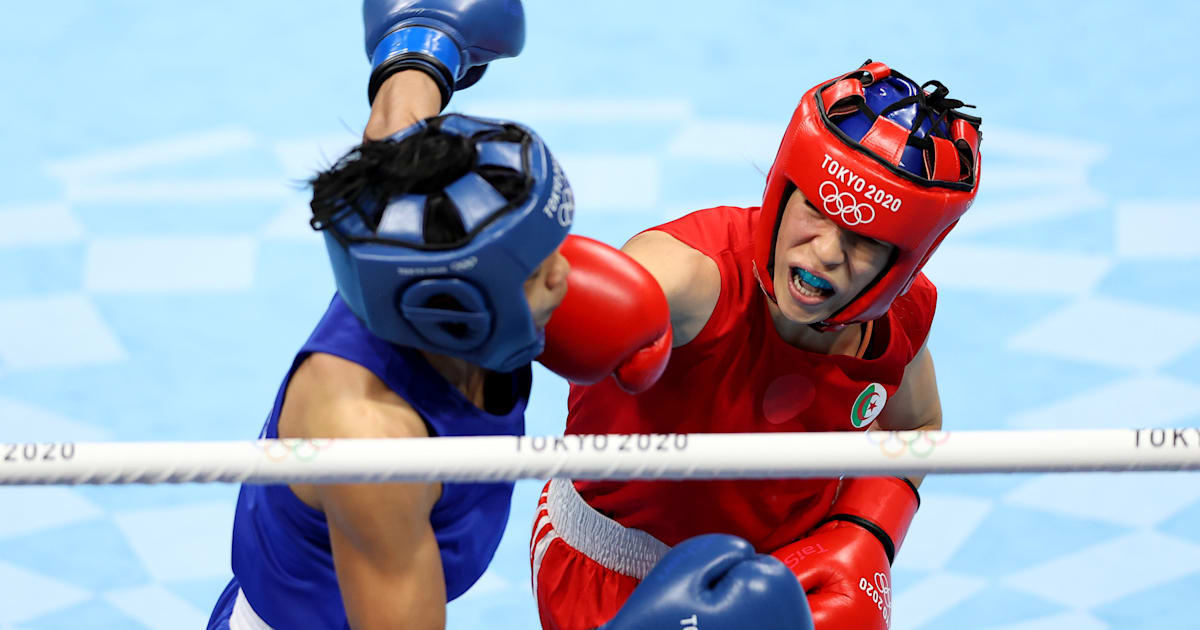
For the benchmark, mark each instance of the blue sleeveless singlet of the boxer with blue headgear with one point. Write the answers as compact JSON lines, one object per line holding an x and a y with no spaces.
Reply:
{"x":281,"y":554}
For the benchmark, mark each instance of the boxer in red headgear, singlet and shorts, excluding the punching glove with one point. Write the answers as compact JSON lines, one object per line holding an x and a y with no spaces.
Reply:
{"x":808,"y":314}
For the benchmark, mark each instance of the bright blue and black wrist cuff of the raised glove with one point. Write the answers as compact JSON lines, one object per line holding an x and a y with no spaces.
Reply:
{"x":417,"y":47}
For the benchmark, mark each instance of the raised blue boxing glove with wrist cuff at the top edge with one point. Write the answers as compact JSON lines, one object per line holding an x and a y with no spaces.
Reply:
{"x":452,"y":41}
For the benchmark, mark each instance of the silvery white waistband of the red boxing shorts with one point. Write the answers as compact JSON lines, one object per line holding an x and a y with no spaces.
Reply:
{"x":613,"y":545}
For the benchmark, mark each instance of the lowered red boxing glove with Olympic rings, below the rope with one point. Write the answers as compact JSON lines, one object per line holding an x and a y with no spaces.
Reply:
{"x":845,"y":565}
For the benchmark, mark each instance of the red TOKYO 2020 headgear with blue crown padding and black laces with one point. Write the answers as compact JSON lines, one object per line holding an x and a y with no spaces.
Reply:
{"x":884,"y":159}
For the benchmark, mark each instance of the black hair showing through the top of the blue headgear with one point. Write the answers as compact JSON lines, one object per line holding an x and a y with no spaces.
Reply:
{"x":423,"y":164}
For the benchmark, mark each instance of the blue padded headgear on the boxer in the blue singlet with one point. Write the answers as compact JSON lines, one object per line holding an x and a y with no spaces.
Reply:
{"x":398,"y":284}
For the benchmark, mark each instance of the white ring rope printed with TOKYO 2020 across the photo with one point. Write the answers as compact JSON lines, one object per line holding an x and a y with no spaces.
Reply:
{"x":601,"y":457}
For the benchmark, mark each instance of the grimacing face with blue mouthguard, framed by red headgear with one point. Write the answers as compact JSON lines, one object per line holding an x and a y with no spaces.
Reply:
{"x":820,"y":266}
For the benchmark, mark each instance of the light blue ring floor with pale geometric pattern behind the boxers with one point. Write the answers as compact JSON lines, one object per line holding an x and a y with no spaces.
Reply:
{"x":157,"y":271}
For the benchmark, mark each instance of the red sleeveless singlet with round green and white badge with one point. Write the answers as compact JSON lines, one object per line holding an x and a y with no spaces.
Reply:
{"x":739,"y":376}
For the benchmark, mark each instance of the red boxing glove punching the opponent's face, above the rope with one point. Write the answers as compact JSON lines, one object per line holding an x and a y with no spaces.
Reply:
{"x":614,"y":320}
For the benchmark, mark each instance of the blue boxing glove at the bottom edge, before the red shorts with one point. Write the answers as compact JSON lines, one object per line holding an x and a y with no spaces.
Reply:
{"x":716,"y":583}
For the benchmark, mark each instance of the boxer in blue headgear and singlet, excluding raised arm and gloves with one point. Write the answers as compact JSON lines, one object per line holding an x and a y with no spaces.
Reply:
{"x":445,"y":245}
